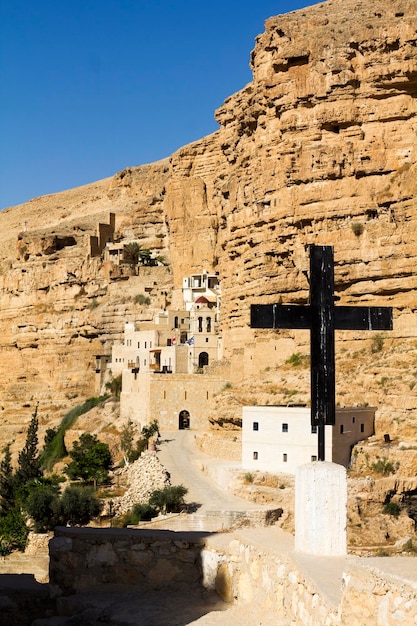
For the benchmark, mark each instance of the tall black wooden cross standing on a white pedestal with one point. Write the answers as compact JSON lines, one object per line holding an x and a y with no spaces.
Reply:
{"x":322,"y":318}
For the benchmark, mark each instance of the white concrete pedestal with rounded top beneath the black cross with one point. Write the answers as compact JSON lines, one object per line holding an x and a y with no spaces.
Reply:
{"x":321,"y":509}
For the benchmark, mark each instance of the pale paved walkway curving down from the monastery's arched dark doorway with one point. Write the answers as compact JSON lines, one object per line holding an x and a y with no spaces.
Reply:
{"x":190,"y":467}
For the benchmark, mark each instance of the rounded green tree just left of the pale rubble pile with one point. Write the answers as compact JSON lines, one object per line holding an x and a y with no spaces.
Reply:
{"x":91,"y":460}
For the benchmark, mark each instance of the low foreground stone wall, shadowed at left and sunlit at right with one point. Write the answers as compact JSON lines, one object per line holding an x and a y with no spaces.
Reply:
{"x":253,"y":567}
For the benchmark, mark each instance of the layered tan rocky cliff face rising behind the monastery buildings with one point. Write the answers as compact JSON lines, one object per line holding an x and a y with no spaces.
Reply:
{"x":319,"y":148}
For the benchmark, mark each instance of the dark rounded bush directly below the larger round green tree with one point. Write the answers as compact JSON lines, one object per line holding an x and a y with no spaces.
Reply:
{"x":78,"y":506}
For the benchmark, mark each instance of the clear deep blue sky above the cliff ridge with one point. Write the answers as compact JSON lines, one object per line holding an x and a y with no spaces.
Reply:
{"x":92,"y":86}
